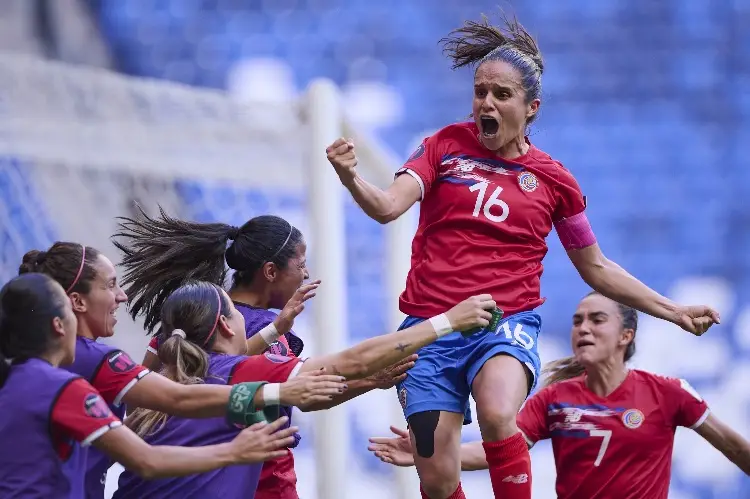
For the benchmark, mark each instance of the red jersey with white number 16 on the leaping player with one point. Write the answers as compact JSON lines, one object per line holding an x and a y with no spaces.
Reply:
{"x":483,"y":222}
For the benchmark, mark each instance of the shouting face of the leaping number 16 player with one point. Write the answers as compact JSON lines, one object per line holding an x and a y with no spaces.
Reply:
{"x":499,"y":107}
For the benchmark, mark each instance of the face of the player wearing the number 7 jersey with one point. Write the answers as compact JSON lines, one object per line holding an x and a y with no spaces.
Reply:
{"x":597,"y":336}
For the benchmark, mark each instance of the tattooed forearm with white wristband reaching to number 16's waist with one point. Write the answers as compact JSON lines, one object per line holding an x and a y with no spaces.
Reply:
{"x":376,"y":353}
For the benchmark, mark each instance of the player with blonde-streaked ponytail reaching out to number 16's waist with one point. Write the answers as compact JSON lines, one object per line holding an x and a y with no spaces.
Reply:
{"x":191,"y":354}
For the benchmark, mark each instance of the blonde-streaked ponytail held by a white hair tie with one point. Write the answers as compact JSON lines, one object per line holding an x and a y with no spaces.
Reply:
{"x":183,"y":362}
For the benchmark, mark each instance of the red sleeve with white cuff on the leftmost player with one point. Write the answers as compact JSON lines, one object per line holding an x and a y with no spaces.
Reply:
{"x":81,"y":413}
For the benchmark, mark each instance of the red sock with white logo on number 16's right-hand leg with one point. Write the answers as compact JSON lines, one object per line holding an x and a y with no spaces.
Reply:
{"x":510,"y":467}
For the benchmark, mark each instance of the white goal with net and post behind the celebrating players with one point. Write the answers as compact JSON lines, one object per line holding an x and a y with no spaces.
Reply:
{"x":79,"y":146}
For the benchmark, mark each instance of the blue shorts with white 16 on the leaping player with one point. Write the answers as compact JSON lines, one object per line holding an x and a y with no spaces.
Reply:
{"x":442,"y":377}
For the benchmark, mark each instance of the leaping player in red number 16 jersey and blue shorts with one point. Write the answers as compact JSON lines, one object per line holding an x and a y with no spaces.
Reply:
{"x":489,"y":198}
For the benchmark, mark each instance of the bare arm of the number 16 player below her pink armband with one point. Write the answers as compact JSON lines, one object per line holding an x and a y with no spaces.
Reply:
{"x":612,"y":281}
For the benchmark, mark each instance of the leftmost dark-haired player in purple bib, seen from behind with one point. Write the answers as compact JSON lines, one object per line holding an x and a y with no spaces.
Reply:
{"x":52,"y":407}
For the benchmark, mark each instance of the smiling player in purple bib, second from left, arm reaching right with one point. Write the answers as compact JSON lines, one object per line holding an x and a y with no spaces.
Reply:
{"x":91,"y":282}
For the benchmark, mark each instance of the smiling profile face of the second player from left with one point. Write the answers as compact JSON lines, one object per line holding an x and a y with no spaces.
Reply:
{"x":103,"y":300}
